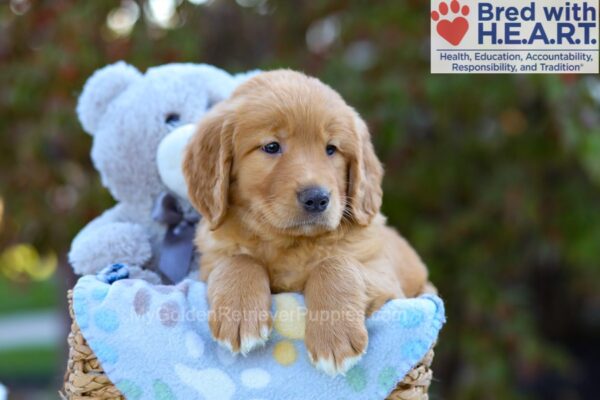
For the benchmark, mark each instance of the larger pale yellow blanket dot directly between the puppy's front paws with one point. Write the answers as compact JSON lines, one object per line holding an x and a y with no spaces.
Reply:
{"x":290,"y":316}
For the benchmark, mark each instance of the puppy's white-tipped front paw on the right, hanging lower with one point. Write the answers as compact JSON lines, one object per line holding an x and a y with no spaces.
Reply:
{"x":335,"y":347}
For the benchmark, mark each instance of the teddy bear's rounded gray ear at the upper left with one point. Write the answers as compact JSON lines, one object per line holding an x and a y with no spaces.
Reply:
{"x":101,"y":89}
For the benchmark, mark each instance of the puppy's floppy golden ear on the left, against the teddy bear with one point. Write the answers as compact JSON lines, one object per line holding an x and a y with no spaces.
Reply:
{"x":207,"y":165}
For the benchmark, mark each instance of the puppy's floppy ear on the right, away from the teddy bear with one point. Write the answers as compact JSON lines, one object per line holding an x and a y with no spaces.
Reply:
{"x":364,"y":178}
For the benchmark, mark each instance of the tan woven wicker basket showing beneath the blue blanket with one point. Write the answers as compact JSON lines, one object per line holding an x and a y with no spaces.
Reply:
{"x":85,"y":379}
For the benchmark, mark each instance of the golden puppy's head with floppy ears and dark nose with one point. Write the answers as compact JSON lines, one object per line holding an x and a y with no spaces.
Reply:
{"x":288,"y":154}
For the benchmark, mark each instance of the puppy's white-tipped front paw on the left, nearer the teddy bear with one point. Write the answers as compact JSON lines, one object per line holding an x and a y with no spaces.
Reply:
{"x":241,"y":323}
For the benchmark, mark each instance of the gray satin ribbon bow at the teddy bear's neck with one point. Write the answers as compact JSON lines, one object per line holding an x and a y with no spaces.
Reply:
{"x":177,"y":248}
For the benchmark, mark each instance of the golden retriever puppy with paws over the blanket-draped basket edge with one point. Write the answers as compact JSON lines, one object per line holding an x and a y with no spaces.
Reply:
{"x":286,"y":178}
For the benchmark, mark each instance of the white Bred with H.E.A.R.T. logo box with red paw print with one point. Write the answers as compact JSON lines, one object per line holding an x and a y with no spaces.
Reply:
{"x":514,"y":36}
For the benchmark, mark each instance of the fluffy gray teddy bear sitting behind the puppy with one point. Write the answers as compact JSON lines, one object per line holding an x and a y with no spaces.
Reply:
{"x":129,"y":114}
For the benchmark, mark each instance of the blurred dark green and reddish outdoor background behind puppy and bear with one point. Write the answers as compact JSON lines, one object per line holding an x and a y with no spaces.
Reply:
{"x":494,"y":179}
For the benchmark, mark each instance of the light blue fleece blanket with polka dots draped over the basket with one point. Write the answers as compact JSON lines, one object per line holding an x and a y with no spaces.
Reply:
{"x":154,"y":343}
